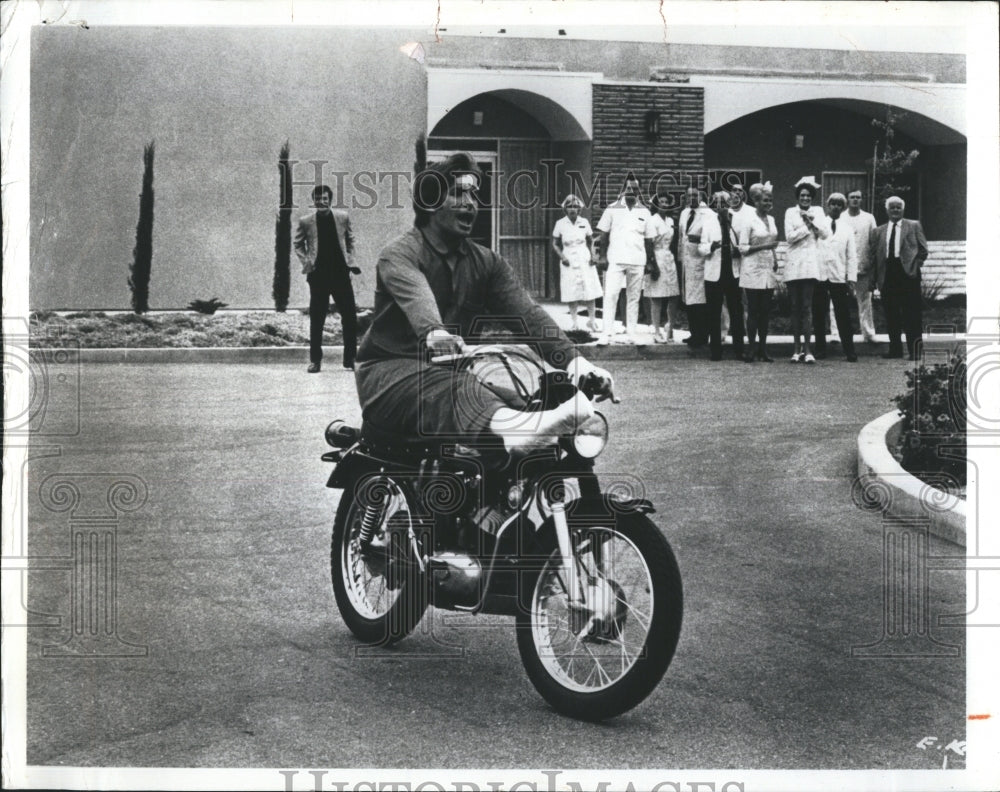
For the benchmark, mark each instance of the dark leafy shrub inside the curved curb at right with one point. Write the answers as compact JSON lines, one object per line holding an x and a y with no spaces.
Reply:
{"x":932,"y":440}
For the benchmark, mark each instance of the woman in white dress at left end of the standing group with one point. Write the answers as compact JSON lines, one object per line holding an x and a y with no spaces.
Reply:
{"x":572,"y":240}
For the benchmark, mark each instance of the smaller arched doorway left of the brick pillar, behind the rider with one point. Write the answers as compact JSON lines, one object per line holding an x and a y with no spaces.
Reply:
{"x":527,"y":145}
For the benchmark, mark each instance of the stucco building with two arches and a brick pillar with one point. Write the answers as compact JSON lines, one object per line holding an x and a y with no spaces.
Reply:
{"x":544,"y":117}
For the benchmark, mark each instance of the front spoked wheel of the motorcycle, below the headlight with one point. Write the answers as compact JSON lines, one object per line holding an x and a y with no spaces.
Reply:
{"x":598,"y":656}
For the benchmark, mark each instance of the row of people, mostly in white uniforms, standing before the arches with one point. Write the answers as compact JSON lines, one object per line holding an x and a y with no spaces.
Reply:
{"x":723,"y":253}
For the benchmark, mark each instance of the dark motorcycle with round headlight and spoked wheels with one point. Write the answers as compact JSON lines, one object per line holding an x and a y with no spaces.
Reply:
{"x":592,"y":583}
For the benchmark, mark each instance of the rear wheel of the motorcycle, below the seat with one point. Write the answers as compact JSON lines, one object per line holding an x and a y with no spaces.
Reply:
{"x":379,"y":588}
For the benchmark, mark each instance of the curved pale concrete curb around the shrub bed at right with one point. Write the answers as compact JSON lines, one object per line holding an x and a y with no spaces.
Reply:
{"x":883,"y":485}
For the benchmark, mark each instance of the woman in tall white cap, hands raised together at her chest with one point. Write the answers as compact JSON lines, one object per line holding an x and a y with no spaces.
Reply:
{"x":805,"y":225}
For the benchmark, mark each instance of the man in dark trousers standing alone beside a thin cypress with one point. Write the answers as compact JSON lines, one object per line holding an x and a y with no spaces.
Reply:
{"x":325,"y":246}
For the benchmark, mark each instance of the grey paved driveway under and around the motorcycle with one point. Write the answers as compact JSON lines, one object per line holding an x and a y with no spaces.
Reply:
{"x":223,"y":582}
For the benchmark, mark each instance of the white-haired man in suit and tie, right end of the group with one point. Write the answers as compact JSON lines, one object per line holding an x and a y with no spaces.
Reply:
{"x":899,"y":248}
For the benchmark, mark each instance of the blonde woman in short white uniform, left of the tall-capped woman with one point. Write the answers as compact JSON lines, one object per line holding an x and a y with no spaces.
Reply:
{"x":758,"y":274}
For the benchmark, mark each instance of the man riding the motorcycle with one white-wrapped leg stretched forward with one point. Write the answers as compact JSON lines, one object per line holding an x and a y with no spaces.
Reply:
{"x":434,"y":287}
